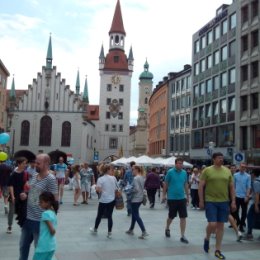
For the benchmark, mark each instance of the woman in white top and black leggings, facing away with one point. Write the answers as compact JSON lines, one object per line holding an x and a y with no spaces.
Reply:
{"x":106,"y":188}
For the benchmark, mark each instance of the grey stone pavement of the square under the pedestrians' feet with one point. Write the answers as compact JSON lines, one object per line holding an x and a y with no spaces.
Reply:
{"x":75,"y":242}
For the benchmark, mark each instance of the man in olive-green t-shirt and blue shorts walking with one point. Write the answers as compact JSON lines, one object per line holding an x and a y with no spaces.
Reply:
{"x":216,"y":189}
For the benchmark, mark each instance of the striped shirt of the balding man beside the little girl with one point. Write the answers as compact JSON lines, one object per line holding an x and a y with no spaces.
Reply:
{"x":48,"y":183}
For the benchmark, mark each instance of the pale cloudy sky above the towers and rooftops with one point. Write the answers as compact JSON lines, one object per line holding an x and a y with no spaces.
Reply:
{"x":160,"y":31}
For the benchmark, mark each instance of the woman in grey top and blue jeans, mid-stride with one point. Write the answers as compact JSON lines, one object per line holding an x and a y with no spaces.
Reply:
{"x":136,"y":201}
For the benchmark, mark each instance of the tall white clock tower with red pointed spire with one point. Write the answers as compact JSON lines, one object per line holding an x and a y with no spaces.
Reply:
{"x":115,"y":92}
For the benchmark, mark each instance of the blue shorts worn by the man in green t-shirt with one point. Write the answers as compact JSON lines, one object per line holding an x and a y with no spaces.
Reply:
{"x":217,"y":211}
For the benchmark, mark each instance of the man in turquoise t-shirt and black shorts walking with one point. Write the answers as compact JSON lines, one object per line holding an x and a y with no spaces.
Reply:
{"x":176,"y":186}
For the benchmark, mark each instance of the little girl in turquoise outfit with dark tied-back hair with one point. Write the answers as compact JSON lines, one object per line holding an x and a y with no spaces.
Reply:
{"x":47,"y":241}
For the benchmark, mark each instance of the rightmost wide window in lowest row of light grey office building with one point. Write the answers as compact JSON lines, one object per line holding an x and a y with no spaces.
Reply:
{"x":226,"y":135}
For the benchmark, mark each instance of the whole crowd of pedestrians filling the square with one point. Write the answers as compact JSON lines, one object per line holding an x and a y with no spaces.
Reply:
{"x":32,"y":193}
